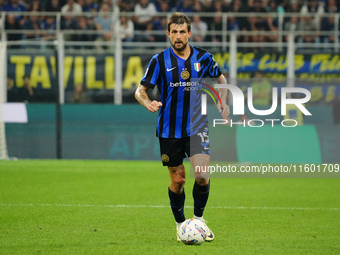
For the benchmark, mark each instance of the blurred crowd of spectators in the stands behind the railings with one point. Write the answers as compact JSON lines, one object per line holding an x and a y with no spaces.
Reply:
{"x":141,"y":15}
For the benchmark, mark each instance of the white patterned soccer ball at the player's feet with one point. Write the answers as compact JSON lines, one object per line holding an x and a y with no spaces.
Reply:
{"x":192,"y":231}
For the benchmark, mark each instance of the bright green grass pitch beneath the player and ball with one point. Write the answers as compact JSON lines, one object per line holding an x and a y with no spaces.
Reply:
{"x":70,"y":207}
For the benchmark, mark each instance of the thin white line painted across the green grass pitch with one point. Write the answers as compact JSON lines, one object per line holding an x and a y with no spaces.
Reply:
{"x":167,"y":206}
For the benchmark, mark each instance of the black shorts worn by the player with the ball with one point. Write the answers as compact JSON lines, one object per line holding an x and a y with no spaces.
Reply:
{"x":174,"y":150}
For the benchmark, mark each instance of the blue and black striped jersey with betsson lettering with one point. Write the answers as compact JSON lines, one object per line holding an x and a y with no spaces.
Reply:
{"x":178,"y":81}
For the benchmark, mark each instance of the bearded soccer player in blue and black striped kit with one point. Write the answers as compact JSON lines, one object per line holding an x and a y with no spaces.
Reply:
{"x":181,"y":128}
